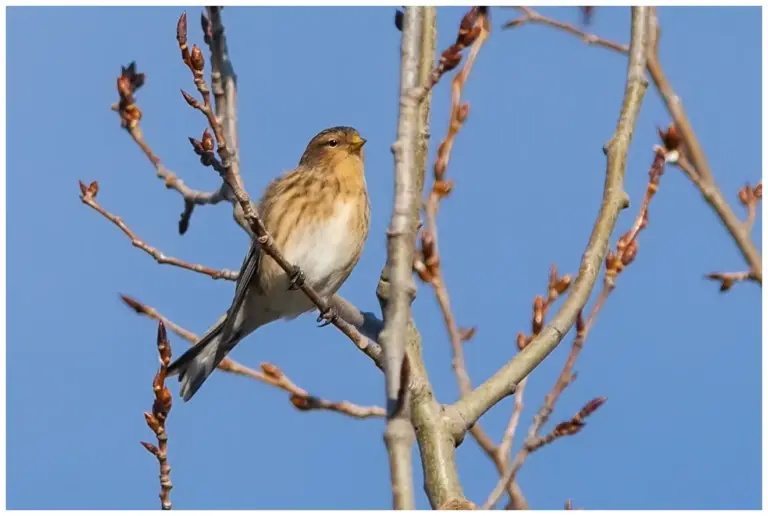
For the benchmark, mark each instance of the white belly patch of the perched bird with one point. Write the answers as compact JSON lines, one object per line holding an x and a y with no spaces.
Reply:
{"x":324,"y":249}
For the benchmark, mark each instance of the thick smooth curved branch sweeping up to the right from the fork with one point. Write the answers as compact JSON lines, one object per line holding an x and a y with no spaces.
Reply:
{"x":504,"y":382}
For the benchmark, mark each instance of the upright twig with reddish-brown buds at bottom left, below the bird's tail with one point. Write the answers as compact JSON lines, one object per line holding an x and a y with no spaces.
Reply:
{"x":156,"y":419}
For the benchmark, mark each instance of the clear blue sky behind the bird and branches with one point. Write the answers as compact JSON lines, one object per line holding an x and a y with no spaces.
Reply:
{"x":679,"y":362}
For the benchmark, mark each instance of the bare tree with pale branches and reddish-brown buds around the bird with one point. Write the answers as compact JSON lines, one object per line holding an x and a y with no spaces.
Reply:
{"x":394,"y":343}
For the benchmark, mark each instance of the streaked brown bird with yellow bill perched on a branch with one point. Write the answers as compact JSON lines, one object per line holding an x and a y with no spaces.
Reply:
{"x":318,"y":215}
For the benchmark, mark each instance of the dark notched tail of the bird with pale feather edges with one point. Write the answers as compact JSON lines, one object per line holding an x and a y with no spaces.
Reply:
{"x":199,"y":361}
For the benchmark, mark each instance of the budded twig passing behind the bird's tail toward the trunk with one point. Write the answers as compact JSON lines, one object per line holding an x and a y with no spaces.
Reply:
{"x":269,"y":374}
